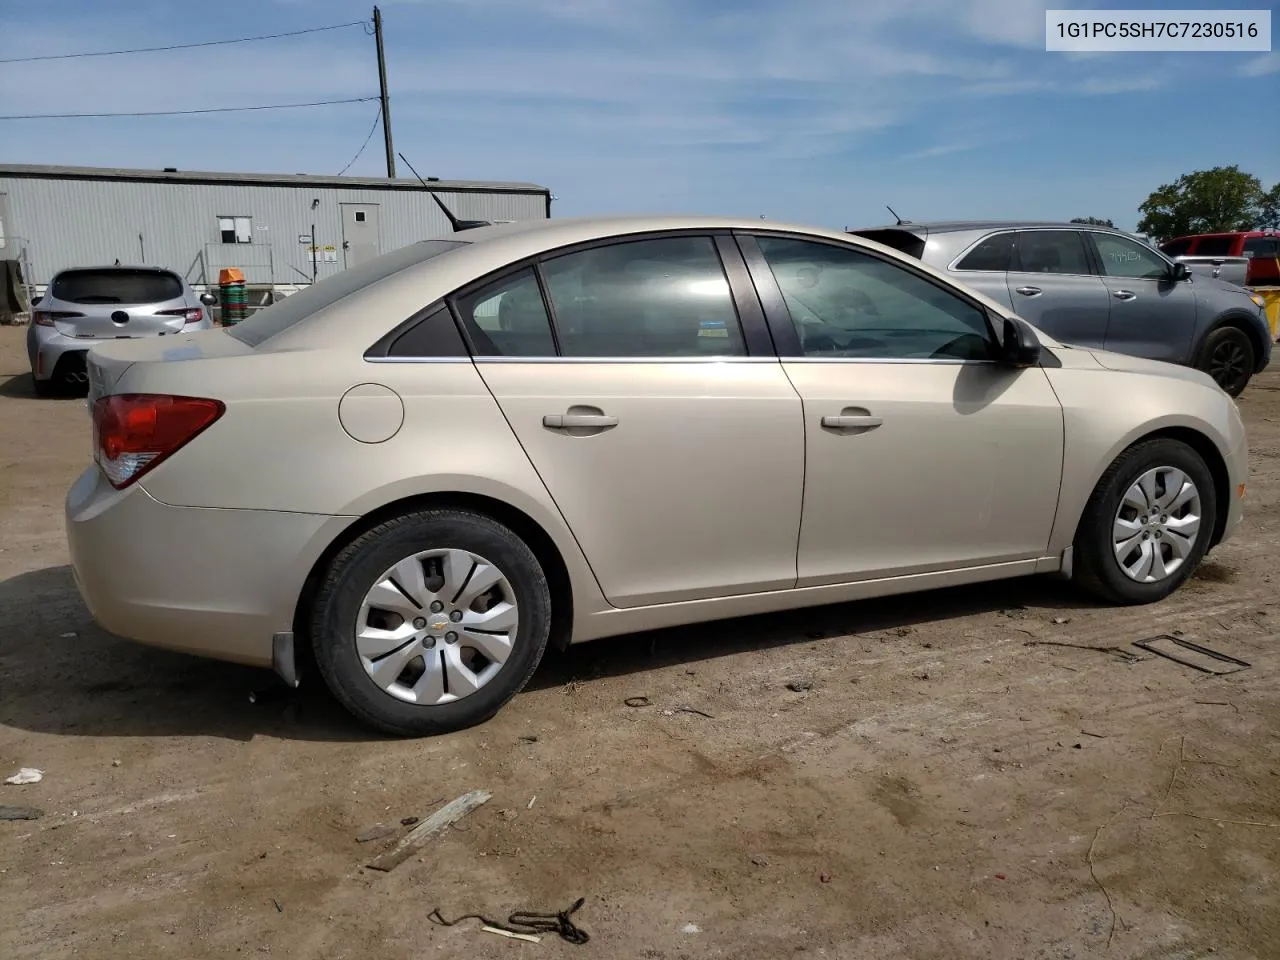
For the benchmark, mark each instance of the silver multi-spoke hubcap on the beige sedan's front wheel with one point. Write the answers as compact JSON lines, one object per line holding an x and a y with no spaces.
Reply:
{"x":1156,"y":525}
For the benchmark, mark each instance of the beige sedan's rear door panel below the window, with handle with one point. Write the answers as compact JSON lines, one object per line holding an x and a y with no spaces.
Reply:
{"x":693,"y":493}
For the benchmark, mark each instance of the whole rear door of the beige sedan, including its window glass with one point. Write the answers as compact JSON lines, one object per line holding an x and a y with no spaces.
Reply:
{"x":676,"y":459}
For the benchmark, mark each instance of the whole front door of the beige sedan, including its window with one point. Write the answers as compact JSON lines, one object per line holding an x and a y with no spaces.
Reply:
{"x":921,"y":454}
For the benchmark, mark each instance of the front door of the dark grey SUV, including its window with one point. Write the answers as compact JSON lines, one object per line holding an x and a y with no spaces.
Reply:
{"x":1151,"y":316}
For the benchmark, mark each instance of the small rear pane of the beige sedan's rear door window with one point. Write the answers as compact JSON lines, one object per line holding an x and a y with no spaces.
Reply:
{"x":509,"y":319}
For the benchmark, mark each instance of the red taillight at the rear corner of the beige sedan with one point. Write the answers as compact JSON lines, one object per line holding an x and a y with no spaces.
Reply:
{"x":135,"y":432}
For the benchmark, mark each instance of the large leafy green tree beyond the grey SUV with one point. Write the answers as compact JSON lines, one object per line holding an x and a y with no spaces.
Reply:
{"x":1206,"y":202}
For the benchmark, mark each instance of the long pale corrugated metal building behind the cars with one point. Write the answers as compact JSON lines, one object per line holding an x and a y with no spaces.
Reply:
{"x":198,"y":223}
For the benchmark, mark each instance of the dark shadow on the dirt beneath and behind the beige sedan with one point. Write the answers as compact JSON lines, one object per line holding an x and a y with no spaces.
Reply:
{"x":63,"y":675}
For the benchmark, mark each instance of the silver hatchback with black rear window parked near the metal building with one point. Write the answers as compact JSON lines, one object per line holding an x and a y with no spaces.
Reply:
{"x":86,"y":305}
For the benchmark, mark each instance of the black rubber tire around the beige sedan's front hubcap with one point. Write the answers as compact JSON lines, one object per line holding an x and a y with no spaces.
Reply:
{"x":1096,"y":568}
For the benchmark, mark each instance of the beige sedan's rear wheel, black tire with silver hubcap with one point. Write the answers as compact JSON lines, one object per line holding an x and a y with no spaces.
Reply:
{"x":431,"y":623}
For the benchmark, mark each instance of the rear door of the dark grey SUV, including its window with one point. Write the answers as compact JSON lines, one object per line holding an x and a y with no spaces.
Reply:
{"x":1053,"y":285}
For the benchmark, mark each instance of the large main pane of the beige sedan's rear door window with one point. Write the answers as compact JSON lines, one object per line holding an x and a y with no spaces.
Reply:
{"x":665,"y":298}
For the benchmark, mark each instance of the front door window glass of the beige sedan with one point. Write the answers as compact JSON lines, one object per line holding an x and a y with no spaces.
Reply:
{"x":848,"y":304}
